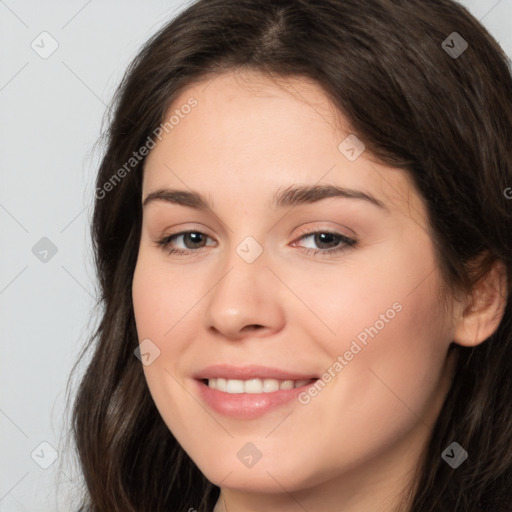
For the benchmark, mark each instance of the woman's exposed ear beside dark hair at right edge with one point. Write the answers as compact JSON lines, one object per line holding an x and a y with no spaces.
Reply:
{"x":481,"y":315}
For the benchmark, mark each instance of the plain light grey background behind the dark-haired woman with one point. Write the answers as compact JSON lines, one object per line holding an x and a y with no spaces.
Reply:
{"x":51,"y":116}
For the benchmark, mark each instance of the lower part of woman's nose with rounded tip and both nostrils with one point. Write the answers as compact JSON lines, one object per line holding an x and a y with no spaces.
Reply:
{"x":246,"y":301}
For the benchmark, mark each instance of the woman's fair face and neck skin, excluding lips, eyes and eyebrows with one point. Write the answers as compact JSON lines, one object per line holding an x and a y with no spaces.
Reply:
{"x":356,"y":444}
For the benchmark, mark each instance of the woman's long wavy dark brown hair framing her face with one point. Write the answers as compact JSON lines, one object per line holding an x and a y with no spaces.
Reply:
{"x":443,"y":118}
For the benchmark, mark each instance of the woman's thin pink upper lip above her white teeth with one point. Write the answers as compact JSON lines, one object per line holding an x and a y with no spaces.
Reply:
{"x":250,"y":372}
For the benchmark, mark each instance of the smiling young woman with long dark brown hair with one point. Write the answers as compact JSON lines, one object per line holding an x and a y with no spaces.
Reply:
{"x":302,"y":239}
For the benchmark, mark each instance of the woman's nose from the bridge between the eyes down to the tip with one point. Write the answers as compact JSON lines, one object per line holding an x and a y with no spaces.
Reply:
{"x":246,"y":294}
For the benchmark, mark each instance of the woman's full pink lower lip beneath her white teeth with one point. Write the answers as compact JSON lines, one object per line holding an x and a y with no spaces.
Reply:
{"x":246,"y":406}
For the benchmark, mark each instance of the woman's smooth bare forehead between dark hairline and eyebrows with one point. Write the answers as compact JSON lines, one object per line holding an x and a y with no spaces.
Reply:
{"x":257,"y":133}
